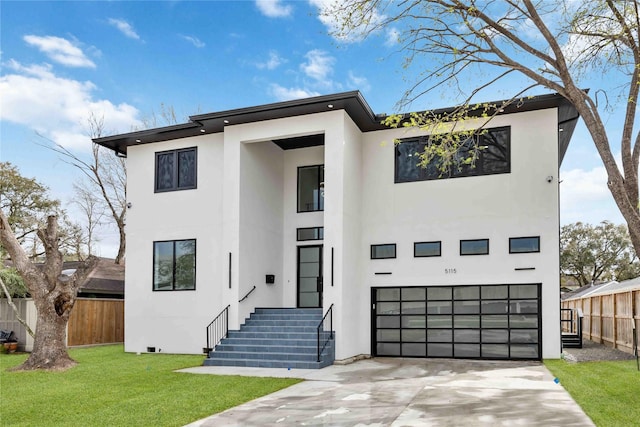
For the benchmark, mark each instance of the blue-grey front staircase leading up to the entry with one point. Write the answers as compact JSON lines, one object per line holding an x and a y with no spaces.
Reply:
{"x":275,"y":338}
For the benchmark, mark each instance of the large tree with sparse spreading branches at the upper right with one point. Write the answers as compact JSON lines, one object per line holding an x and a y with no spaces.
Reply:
{"x":552,"y":44}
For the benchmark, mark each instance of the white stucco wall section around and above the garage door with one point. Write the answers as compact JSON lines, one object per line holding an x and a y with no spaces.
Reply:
{"x":519,"y":204}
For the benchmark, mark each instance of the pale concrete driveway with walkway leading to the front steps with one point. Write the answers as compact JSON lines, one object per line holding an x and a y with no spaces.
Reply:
{"x":407,"y":392}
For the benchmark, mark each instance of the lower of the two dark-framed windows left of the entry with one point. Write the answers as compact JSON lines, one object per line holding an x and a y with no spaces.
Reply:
{"x":174,"y":265}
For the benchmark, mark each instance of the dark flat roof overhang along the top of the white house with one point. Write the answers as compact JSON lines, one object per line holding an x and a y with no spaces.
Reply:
{"x":352,"y":102}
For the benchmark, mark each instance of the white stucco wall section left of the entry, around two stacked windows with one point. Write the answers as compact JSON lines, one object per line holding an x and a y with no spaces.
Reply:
{"x":173,"y":322}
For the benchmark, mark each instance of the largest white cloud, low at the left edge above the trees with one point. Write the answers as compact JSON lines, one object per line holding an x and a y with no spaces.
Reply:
{"x":58,"y":107}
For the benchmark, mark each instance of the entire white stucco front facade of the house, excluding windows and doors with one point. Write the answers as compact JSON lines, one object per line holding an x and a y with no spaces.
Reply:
{"x":245,"y":204}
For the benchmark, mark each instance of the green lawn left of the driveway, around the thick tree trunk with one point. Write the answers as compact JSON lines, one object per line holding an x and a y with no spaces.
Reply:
{"x":113,"y":388}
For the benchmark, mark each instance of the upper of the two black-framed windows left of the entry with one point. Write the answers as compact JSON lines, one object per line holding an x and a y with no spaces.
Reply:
{"x":176,"y":170}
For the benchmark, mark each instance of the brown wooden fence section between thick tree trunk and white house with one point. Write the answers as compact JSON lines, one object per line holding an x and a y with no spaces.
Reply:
{"x":96,"y":321}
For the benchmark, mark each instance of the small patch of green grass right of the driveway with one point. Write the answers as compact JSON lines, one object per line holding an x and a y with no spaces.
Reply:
{"x":607,"y":391}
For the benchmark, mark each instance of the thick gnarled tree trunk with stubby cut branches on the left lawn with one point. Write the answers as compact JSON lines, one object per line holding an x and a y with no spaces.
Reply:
{"x":53,"y":294}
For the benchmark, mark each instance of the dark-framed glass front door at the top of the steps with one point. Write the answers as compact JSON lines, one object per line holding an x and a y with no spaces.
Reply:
{"x":310,"y":276}
